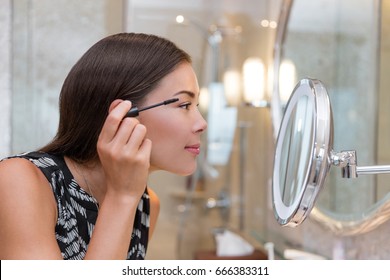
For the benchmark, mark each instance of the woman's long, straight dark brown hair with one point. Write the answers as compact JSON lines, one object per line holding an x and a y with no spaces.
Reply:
{"x":121,"y":66}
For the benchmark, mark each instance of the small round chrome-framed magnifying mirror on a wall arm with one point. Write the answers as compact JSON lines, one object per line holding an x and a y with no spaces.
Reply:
{"x":302,"y":154}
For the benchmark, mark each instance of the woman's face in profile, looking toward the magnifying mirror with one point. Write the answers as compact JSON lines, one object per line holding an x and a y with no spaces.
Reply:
{"x":175,"y":129}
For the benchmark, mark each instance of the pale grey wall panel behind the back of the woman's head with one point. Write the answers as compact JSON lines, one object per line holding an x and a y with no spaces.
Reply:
{"x":44,"y":50}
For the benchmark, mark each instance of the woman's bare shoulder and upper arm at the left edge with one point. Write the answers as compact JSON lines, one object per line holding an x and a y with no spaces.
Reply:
{"x":27,"y":212}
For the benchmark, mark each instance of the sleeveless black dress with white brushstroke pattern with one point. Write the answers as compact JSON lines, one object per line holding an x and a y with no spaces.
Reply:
{"x":78,"y":211}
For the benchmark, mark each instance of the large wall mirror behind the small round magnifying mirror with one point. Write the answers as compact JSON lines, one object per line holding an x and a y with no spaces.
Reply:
{"x":345,"y":37}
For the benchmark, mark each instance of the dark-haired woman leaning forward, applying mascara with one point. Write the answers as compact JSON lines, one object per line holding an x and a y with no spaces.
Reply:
{"x":84,"y":195}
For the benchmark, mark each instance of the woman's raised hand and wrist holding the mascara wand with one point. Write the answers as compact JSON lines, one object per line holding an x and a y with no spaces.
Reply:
{"x":124,"y":152}
